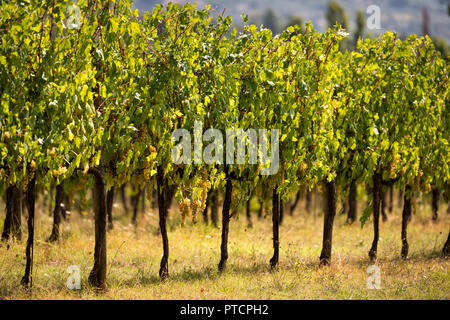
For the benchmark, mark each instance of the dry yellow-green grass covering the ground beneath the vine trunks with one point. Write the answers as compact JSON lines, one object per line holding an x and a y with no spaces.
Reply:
{"x":134,"y":255}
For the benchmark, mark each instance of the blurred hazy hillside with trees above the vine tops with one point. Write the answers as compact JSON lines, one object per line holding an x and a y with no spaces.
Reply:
{"x":421,"y":17}
